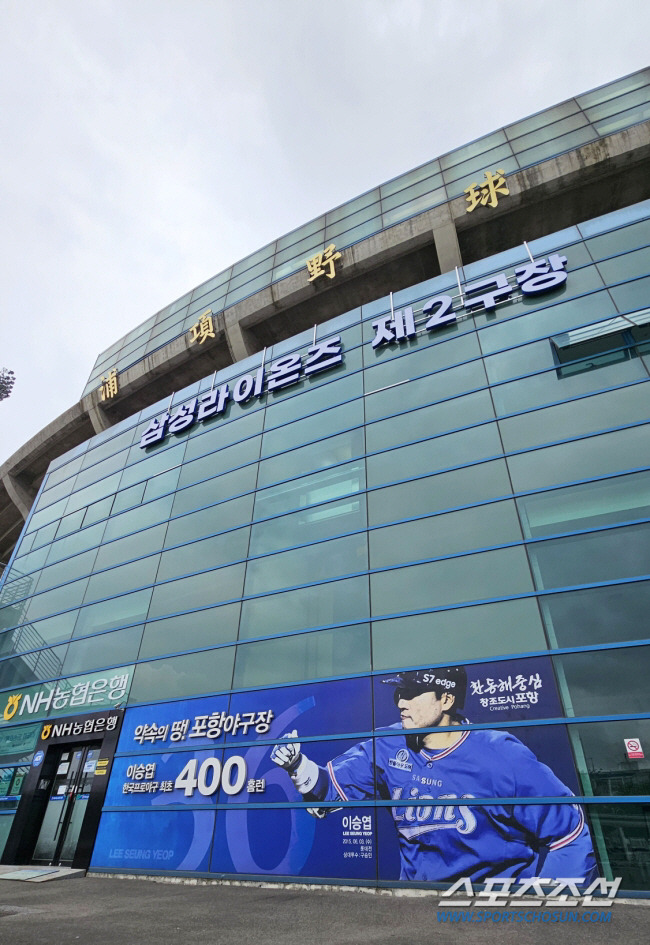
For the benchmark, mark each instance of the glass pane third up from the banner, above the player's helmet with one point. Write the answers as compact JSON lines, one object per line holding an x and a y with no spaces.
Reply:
{"x":478,"y":527}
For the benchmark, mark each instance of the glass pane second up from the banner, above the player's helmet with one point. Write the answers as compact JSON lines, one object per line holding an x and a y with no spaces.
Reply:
{"x":484,"y":576}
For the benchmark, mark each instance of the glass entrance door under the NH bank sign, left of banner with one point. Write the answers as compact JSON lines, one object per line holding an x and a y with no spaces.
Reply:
{"x":57,"y":840}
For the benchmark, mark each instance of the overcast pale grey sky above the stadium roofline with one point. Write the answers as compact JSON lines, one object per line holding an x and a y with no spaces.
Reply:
{"x":147,"y":144}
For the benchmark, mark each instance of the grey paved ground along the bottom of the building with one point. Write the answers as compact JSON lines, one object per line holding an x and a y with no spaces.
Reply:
{"x":142,"y":912}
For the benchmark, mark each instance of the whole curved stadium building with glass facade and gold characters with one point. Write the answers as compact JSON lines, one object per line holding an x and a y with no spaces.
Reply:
{"x":382,"y":487}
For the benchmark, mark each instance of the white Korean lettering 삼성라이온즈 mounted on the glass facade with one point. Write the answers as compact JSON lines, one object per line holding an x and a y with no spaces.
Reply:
{"x":282,"y":373}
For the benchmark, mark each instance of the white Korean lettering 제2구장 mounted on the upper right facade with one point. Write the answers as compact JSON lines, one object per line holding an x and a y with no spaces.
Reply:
{"x":534,"y":278}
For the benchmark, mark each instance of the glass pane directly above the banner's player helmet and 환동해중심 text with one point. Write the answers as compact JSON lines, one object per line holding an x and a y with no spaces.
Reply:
{"x":487,"y":630}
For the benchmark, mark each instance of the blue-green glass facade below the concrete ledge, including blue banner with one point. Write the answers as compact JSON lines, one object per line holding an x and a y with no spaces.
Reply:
{"x":475,"y":494}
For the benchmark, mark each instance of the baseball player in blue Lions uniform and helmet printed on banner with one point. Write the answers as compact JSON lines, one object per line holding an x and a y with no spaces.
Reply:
{"x":444,"y":837}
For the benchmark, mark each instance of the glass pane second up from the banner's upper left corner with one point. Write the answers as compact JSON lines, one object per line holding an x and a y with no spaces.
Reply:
{"x":190,"y":631}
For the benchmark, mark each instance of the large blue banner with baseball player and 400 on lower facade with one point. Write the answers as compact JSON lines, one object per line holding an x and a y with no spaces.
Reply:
{"x":283,"y":770}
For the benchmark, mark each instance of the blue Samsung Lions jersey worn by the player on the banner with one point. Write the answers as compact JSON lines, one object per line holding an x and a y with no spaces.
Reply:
{"x":441,"y":843}
